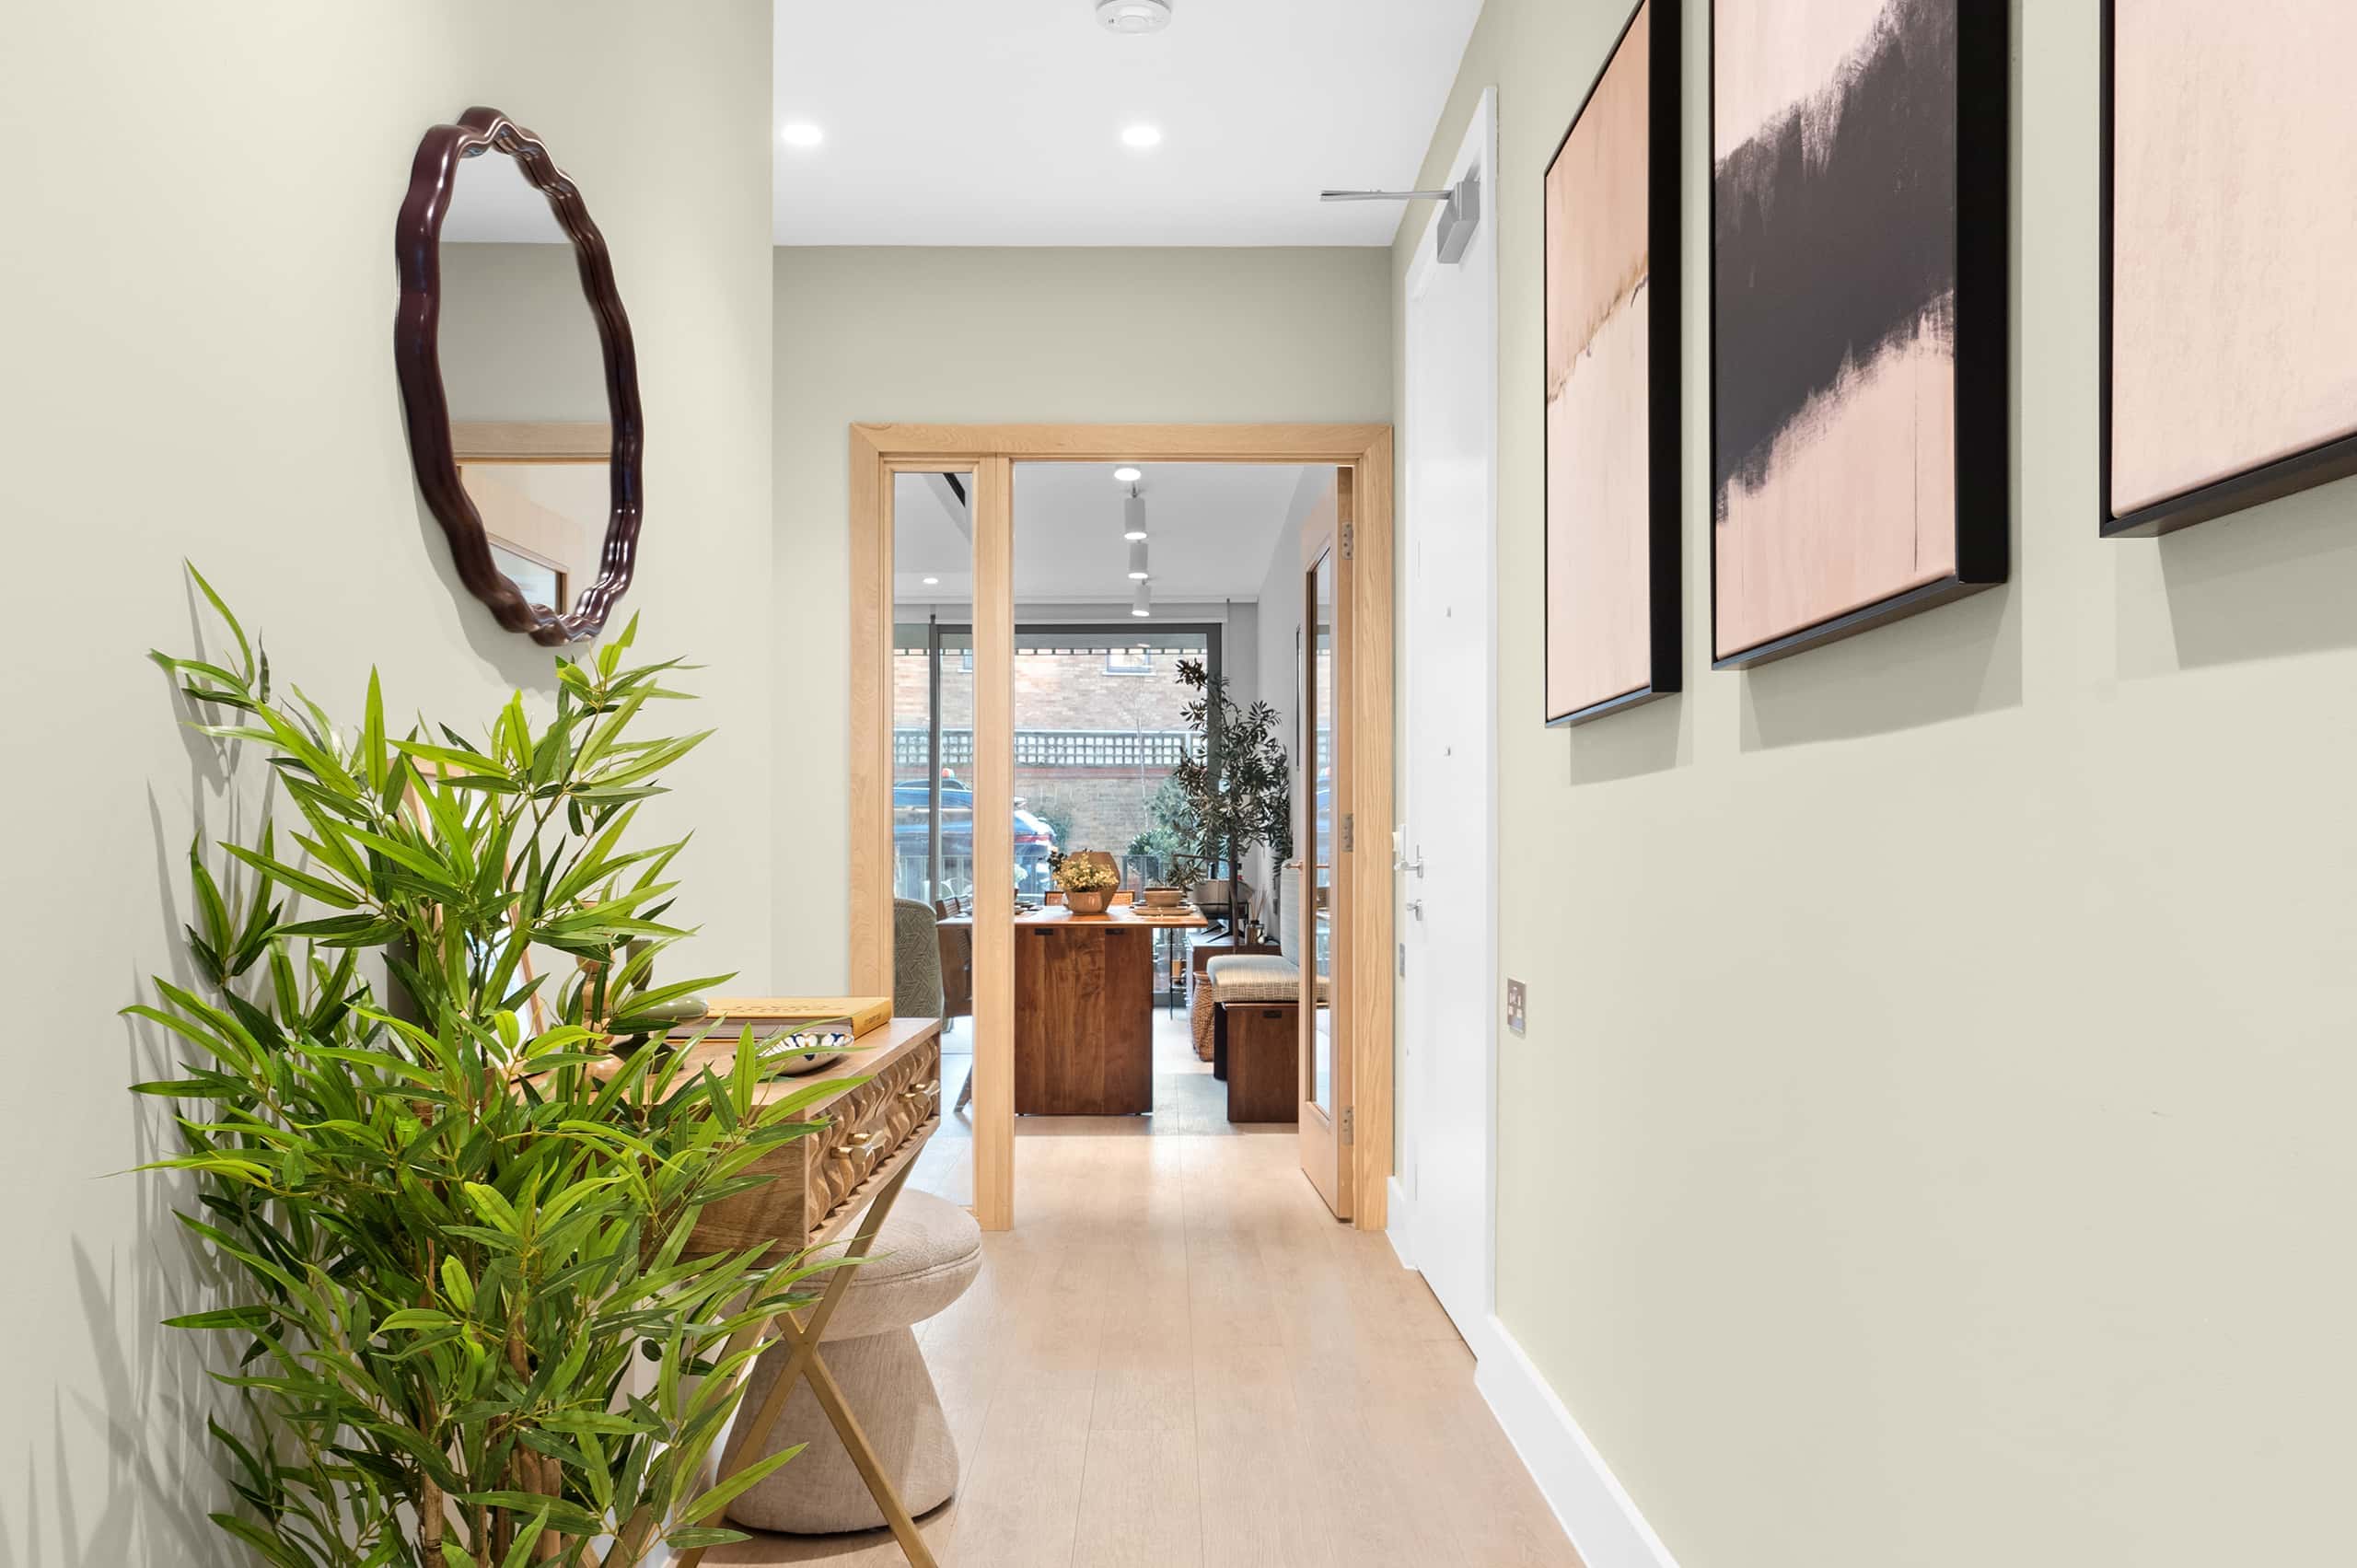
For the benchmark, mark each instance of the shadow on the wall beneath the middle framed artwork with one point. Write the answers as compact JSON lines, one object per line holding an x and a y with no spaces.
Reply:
{"x":1948,"y":664}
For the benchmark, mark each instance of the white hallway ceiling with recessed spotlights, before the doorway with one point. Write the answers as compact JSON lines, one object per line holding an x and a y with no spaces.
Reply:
{"x":998,"y":121}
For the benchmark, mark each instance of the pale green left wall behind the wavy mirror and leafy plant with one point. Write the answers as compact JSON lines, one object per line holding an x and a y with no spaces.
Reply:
{"x":197,"y":301}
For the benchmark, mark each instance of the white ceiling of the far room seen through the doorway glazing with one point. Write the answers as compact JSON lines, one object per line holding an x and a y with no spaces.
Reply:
{"x":1213,"y":532}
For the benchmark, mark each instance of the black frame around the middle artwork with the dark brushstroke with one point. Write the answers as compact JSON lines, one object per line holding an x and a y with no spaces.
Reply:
{"x":1983,"y":341}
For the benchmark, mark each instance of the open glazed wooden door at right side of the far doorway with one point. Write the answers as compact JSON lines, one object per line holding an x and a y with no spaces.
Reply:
{"x":1323,"y":822}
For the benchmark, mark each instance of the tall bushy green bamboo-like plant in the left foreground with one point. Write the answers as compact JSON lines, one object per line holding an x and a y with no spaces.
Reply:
{"x":451,"y":1220}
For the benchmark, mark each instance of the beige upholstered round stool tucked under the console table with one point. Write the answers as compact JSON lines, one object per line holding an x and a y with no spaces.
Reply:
{"x":925,"y":1258}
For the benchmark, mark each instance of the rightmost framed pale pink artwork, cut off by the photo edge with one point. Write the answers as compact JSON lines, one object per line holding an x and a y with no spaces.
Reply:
{"x":2229,"y":251}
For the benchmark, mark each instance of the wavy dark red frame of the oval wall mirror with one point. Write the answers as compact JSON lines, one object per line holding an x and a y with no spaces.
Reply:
{"x":428,"y":409}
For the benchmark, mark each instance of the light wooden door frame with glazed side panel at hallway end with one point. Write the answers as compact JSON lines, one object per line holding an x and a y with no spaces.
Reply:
{"x":991,"y":452}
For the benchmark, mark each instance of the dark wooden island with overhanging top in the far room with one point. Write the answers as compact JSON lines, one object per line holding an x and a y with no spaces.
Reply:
{"x":1085,"y":1008}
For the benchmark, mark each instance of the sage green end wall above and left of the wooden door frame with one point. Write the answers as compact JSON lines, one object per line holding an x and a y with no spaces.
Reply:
{"x":998,"y":336}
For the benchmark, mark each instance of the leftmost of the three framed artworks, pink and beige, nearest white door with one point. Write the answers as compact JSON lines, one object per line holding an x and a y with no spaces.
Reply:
{"x":1613,"y":579}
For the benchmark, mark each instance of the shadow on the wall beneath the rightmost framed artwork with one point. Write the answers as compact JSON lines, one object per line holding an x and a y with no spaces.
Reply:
{"x":2273,"y":584}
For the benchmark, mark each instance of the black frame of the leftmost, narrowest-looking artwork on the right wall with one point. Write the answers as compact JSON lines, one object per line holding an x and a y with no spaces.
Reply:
{"x":1665,"y":369}
